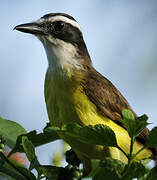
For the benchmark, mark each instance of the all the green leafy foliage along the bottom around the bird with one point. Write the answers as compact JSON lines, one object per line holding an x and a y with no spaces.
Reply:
{"x":15,"y":136}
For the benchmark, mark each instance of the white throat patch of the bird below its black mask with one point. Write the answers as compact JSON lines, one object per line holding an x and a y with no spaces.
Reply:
{"x":61,"y":55}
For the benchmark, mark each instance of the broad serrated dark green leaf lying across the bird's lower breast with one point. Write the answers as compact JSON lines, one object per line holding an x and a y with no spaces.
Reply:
{"x":98,"y":134}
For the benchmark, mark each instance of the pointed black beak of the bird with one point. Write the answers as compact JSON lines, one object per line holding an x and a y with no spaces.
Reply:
{"x":32,"y":28}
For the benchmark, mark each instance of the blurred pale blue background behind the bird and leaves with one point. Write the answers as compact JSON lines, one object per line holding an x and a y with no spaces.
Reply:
{"x":121,"y":37}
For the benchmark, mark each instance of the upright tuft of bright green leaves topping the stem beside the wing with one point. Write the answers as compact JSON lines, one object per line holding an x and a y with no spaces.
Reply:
{"x":134,"y":125}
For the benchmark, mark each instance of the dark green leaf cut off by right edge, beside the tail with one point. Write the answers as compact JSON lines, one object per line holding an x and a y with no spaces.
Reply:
{"x":151,"y":140}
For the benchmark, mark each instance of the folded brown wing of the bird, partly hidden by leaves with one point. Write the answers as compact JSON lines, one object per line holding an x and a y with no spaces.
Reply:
{"x":108,"y":100}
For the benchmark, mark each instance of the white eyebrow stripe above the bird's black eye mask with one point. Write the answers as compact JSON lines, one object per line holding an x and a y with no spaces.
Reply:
{"x":66,"y":20}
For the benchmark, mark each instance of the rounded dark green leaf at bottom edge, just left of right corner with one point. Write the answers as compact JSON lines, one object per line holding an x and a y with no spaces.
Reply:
{"x":134,"y":170}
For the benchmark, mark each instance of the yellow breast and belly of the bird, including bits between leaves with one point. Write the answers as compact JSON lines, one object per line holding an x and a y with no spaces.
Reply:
{"x":66,"y":102}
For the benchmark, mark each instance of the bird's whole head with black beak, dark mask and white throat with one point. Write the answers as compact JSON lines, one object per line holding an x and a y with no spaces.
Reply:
{"x":62,"y":39}
